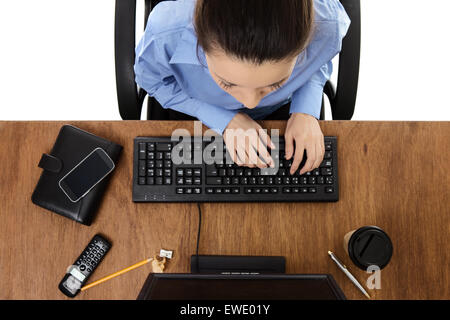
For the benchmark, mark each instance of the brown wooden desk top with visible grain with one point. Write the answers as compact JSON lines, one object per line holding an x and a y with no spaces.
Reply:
{"x":391,"y":174}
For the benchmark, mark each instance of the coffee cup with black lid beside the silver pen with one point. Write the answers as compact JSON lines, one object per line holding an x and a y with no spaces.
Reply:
{"x":368,"y":246}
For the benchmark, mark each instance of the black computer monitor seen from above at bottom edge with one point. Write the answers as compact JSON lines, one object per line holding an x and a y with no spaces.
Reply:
{"x":240,"y":287}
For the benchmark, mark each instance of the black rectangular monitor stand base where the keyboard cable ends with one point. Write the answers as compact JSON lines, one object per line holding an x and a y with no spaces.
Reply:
{"x":237,"y":264}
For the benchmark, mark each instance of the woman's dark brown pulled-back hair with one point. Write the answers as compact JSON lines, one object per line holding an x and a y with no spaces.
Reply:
{"x":254,"y":30}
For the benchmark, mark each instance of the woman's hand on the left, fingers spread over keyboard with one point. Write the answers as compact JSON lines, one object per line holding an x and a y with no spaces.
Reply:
{"x":245,"y":140}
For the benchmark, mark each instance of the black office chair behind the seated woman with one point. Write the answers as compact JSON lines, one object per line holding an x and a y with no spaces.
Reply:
{"x":342,"y":98}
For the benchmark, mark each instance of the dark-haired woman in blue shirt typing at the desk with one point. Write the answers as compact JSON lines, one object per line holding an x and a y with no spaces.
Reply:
{"x":231,"y":62}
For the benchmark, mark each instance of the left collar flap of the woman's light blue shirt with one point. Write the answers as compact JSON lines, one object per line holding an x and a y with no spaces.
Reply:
{"x":185,"y":51}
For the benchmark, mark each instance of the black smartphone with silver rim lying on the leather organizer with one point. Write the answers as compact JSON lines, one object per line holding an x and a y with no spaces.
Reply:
{"x":86,"y":174}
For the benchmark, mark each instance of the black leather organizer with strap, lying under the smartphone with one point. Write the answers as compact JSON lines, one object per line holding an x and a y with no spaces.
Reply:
{"x":71,"y":146}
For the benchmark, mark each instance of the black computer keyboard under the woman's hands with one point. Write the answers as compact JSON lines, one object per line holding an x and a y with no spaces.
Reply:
{"x":200,"y":171}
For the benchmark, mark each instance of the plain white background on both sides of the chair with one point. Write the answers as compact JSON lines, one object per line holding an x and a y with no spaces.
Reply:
{"x":57,"y":60}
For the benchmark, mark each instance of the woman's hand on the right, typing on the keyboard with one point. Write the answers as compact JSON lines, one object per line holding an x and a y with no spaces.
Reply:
{"x":304,"y":129}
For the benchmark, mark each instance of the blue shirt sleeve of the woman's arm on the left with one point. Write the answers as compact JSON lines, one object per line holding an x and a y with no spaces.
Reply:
{"x":154,"y":75}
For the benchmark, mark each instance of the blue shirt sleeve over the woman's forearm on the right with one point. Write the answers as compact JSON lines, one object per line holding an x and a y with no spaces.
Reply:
{"x":308,"y":98}
